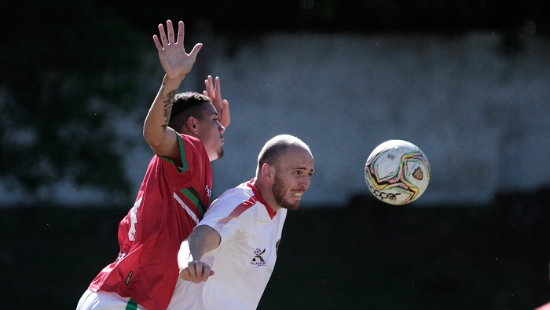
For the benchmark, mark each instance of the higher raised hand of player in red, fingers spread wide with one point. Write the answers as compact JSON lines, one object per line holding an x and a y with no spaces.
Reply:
{"x":173,"y":58}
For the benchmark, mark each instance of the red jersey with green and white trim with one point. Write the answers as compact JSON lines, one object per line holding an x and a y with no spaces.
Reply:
{"x":169,"y":204}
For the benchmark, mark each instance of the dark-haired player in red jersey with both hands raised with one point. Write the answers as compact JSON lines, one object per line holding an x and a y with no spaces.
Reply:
{"x":185,"y":132}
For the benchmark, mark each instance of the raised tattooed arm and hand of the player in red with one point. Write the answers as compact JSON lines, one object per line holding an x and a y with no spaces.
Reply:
{"x":176,"y":64}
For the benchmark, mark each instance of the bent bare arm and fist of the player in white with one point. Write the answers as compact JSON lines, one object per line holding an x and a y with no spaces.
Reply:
{"x":202,"y":240}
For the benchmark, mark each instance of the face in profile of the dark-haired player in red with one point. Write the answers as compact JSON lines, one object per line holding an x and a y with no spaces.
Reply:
{"x":210,"y":132}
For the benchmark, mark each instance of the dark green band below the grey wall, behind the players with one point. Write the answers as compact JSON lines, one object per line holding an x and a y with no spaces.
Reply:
{"x":363,"y":255}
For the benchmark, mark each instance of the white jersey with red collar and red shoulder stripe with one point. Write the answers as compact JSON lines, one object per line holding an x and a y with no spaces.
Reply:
{"x":243,"y":263}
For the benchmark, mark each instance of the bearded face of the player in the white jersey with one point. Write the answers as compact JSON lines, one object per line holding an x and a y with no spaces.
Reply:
{"x":292,"y":177}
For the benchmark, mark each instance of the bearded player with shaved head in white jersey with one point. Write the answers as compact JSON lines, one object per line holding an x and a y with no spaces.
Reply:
{"x":240,"y":233}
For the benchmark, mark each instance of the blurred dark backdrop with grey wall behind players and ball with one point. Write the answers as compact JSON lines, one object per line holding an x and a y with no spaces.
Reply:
{"x":466,"y":81}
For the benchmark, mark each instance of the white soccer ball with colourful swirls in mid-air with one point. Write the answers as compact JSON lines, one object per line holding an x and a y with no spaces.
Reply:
{"x":397,"y":172}
